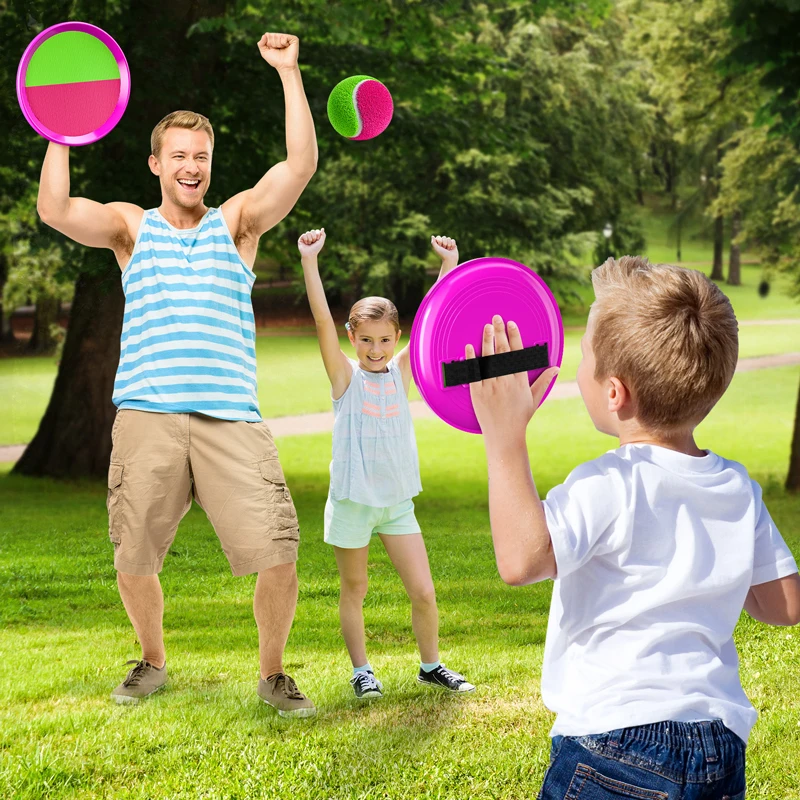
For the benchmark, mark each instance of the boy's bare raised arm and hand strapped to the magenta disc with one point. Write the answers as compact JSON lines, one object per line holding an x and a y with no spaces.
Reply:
{"x":504,"y":406}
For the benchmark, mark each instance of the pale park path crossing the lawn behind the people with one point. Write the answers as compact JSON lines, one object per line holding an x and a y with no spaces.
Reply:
{"x":323,"y":422}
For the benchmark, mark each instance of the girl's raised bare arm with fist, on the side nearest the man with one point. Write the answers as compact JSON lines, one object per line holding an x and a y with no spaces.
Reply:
{"x":336,"y":364}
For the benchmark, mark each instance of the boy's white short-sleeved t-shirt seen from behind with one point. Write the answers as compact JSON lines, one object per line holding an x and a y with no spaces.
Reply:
{"x":655,"y":551}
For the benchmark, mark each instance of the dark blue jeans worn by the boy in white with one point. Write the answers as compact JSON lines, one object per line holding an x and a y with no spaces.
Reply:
{"x":662,"y":761}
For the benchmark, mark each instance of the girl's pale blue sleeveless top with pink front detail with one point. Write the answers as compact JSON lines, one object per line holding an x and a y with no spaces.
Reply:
{"x":375,"y":460}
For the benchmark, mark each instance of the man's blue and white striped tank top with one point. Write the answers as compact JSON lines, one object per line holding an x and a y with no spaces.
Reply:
{"x":188,"y":334}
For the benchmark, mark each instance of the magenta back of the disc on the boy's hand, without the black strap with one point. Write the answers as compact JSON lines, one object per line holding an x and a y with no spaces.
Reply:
{"x":486,"y":286}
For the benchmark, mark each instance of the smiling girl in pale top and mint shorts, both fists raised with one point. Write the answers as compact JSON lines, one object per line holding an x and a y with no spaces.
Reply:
{"x":375,"y":470}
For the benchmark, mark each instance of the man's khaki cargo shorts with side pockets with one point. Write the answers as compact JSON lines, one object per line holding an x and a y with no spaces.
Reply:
{"x":159,"y":462}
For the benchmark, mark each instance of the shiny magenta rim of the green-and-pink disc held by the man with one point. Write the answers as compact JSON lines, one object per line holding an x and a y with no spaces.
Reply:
{"x":124,"y":85}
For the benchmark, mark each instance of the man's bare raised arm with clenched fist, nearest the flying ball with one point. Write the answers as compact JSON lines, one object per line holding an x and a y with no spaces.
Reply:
{"x":257,"y":210}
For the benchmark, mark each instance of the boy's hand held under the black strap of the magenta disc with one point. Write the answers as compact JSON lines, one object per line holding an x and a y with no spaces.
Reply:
{"x":504,"y":406}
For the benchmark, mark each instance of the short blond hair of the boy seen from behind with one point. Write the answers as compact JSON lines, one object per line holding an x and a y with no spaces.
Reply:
{"x":669,"y":334}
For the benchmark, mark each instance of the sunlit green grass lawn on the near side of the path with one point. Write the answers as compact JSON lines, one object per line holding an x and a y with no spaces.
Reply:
{"x":64,"y":638}
